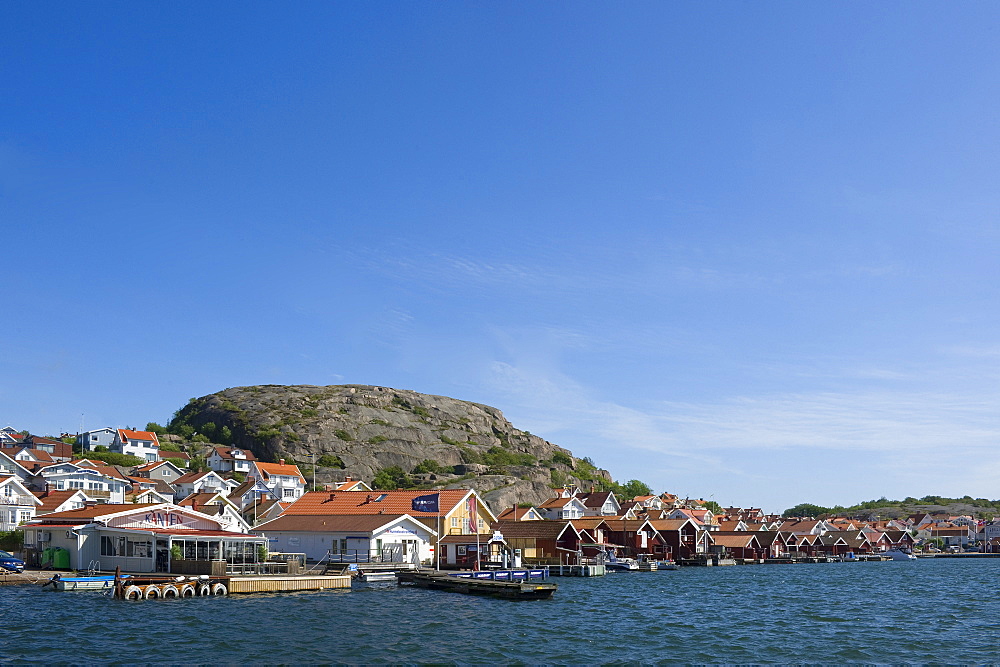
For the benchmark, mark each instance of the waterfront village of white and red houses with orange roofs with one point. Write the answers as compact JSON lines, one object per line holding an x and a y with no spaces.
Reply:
{"x":245,"y":516}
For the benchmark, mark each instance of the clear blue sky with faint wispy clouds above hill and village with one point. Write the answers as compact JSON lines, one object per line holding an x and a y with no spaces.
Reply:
{"x":746,"y":251}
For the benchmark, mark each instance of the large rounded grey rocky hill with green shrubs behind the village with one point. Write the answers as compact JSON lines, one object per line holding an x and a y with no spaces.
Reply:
{"x":388,"y":436}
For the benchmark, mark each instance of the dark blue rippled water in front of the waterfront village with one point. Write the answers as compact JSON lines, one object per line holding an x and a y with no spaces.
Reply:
{"x":893,"y":612}
